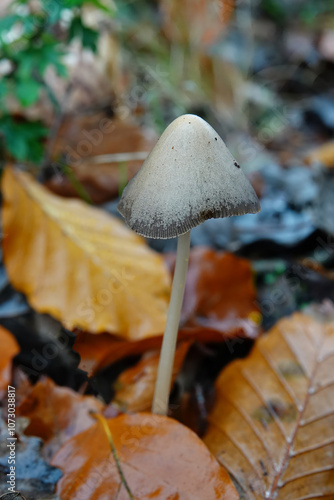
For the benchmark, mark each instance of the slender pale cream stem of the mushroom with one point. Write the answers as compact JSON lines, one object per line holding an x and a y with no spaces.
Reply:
{"x":166,"y":362}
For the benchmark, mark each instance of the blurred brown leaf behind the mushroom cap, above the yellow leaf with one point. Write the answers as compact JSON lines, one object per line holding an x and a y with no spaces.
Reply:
{"x":92,"y":136}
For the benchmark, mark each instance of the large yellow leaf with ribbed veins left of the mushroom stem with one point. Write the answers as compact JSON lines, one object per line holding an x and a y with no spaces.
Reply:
{"x":79,"y":264}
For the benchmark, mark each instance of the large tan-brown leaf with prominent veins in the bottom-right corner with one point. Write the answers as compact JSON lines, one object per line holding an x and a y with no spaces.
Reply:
{"x":272,"y":424}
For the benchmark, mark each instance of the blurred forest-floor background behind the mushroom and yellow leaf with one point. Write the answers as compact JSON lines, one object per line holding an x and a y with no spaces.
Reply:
{"x":87,"y":87}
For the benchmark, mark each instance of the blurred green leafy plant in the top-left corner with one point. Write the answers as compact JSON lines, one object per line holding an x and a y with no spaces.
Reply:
{"x":30,"y":43}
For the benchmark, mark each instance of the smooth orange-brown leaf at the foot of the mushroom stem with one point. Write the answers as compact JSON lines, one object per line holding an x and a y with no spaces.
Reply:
{"x":159,"y":457}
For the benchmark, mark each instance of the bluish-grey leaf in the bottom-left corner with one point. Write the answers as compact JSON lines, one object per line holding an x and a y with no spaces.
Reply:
{"x":34,"y":478}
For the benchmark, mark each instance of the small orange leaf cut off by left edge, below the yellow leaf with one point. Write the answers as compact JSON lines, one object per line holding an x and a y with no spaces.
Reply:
{"x":9,"y":349}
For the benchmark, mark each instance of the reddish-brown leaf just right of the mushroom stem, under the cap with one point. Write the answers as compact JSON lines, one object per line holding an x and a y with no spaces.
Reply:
{"x":220,"y":293}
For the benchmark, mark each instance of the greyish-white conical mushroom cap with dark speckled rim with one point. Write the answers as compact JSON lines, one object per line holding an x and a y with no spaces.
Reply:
{"x":188,"y":177}
